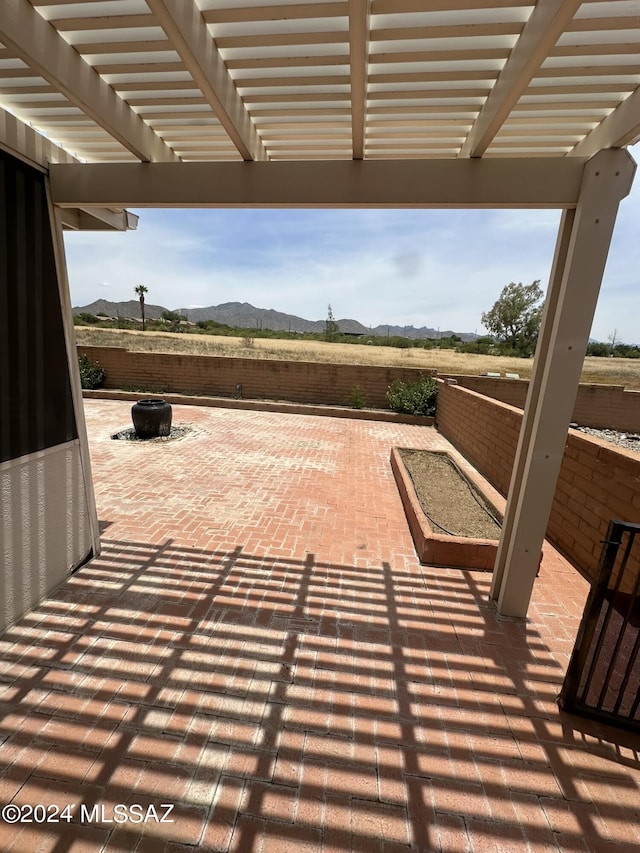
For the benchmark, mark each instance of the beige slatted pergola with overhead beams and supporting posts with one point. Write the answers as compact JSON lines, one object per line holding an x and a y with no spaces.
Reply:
{"x":342,"y":103}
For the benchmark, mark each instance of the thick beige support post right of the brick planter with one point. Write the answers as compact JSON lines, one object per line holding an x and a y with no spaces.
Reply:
{"x":581,"y":253}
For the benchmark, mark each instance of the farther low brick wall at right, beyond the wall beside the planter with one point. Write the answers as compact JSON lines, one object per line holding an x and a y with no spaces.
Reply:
{"x":599,"y":406}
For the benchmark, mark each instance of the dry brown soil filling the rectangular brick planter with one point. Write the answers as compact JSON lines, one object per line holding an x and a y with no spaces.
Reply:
{"x":451,"y":504}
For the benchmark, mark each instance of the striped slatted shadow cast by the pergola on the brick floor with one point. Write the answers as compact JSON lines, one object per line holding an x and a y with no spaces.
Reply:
{"x":296,"y":703}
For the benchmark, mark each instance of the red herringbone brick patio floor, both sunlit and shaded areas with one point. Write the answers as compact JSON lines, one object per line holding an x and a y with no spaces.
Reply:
{"x":259,"y":646}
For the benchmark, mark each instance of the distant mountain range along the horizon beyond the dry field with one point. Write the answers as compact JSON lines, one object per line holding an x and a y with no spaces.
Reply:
{"x":247,"y":316}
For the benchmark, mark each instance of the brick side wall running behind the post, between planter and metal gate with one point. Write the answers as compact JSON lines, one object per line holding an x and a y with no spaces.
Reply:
{"x":597,"y":483}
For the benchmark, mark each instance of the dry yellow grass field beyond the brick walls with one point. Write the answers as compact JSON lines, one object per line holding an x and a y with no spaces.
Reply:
{"x":609,"y":371}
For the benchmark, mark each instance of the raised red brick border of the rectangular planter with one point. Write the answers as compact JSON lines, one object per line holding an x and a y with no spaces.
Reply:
{"x":438,"y":549}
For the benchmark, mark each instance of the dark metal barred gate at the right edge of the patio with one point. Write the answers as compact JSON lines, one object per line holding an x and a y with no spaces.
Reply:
{"x":603,"y":677}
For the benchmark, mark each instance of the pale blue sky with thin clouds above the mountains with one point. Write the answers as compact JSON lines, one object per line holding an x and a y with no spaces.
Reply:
{"x":436,"y":268}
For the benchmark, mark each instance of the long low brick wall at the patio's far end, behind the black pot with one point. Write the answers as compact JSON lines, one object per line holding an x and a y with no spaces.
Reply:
{"x":295,"y":381}
